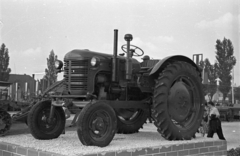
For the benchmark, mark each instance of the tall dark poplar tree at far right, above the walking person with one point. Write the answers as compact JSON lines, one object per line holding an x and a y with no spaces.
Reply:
{"x":224,"y":64}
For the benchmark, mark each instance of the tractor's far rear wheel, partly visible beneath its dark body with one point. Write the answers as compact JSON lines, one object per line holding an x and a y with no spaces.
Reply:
{"x":130,"y":120}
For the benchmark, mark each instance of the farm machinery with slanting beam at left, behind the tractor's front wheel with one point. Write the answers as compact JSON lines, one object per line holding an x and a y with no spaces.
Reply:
{"x":24,"y":106}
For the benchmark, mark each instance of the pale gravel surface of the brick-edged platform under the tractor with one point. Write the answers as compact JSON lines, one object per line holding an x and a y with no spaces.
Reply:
{"x":70,"y":145}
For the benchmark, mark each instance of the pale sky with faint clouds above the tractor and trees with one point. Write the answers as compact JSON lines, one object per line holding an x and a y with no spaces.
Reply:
{"x":30,"y":29}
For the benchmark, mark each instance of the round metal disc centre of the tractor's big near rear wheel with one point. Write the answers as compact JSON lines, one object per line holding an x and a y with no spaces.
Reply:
{"x":179,"y":102}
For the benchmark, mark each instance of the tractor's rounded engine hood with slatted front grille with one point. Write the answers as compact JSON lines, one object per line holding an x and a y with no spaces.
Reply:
{"x":80,"y":73}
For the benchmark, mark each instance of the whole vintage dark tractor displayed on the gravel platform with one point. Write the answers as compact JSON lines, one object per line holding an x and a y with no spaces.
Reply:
{"x":117,"y":94}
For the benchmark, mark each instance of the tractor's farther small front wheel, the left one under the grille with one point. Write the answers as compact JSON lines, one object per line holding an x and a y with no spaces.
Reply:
{"x":39,"y":125}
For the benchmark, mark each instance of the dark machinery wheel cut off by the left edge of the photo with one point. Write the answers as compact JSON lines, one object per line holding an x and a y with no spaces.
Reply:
{"x":5,"y":122}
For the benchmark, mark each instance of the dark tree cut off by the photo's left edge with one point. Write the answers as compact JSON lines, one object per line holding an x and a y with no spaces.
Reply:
{"x":4,"y":62}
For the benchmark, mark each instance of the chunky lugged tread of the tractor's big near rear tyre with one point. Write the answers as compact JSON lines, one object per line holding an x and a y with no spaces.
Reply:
{"x":160,"y":100}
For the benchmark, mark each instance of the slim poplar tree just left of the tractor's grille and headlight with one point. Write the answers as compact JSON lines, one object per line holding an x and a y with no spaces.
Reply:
{"x":50,"y":72}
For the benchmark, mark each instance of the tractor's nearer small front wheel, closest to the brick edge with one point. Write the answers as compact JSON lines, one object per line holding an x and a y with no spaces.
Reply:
{"x":96,"y":125}
